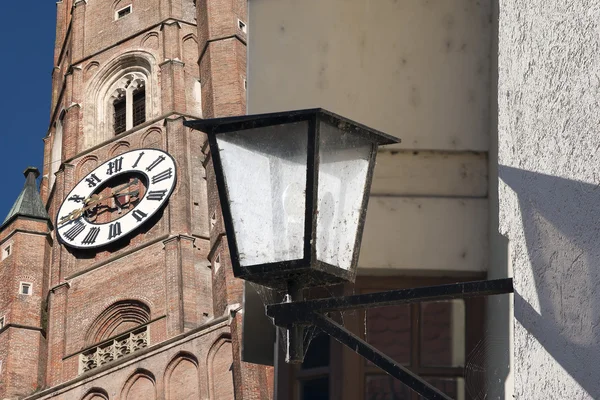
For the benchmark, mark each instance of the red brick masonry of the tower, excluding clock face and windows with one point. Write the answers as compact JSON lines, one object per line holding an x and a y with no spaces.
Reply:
{"x":169,"y":264}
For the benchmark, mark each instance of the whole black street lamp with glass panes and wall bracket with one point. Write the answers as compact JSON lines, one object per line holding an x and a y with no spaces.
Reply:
{"x":294,"y":188}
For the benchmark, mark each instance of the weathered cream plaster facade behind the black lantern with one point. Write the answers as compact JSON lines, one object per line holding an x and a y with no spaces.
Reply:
{"x":424,"y":71}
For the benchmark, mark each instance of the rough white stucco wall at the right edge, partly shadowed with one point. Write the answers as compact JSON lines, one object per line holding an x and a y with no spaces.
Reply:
{"x":549,"y":170}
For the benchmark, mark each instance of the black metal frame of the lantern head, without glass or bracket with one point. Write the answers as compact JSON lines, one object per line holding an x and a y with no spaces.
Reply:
{"x":307,"y":271}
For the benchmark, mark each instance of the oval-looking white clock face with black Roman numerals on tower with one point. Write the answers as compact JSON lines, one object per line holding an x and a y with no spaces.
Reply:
{"x":116,"y":198}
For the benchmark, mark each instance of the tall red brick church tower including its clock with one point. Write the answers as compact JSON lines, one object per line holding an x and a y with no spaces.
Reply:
{"x":113,"y":286}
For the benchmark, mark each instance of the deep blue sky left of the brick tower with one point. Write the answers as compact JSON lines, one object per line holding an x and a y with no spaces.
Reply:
{"x":26,"y":48}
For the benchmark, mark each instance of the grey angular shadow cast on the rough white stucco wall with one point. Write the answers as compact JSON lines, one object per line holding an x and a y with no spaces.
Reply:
{"x":561,"y":224}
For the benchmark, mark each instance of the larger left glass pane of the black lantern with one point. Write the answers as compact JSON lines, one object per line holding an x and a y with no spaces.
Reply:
{"x":265,"y":176}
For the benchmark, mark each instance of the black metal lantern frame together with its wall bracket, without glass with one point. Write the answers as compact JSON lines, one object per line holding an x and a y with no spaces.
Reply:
{"x":295,"y":314}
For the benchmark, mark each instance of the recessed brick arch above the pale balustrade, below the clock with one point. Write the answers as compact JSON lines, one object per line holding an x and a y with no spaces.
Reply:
{"x":116,"y":318}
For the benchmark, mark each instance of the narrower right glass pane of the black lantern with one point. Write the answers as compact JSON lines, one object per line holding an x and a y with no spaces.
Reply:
{"x":343,"y":166}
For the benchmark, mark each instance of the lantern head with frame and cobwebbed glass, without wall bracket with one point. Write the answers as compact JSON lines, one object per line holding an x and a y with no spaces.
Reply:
{"x":294,"y":188}
